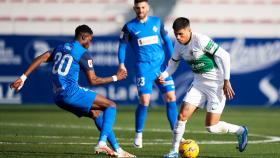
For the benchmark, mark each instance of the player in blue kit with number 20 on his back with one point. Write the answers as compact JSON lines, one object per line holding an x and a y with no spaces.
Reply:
{"x":67,"y":60}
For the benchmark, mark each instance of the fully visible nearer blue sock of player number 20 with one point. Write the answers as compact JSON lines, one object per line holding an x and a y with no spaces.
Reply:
{"x":108,"y":122}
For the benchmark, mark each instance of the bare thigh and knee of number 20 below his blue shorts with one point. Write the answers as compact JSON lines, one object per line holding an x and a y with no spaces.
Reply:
{"x":100,"y":103}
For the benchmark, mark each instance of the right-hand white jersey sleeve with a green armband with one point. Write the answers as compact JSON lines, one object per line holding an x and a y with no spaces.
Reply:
{"x":208,"y":45}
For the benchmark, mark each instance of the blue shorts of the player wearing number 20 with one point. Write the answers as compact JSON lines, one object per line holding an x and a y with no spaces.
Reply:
{"x":79,"y":103}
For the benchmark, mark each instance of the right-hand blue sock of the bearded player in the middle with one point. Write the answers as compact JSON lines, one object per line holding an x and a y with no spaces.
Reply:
{"x":172,"y":113}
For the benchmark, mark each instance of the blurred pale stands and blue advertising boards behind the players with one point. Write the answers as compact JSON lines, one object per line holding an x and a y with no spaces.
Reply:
{"x":248,"y":29}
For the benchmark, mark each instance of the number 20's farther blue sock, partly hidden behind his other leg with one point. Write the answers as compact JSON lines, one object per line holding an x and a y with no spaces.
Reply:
{"x":111,"y":137}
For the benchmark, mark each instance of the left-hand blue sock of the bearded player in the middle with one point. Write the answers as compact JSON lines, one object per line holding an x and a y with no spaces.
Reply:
{"x":140,"y":117}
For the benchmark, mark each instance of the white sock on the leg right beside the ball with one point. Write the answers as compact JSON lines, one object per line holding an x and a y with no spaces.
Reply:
{"x":178,"y":133}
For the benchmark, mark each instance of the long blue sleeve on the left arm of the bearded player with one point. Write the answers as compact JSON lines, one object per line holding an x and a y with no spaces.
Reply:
{"x":124,"y":39}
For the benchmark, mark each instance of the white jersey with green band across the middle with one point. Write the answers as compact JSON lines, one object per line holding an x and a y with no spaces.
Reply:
{"x":199,"y":54}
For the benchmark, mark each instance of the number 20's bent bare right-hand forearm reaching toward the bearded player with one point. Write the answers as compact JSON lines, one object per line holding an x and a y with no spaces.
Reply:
{"x":95,"y":80}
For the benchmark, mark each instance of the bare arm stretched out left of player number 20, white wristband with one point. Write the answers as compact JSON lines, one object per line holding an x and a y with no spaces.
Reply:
{"x":18,"y":84}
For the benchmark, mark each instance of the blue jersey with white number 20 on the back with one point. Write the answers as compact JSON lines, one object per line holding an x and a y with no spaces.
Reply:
{"x":68,"y":59}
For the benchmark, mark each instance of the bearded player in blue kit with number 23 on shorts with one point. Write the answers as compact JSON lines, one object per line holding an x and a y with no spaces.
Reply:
{"x":147,"y":37}
